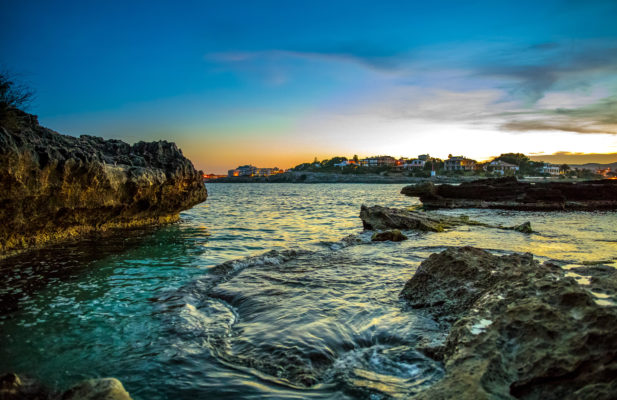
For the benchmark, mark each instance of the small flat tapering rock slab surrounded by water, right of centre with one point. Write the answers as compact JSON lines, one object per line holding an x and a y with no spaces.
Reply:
{"x":381,"y":218}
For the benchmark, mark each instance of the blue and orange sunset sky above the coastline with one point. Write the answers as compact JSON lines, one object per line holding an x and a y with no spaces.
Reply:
{"x":277,"y":83}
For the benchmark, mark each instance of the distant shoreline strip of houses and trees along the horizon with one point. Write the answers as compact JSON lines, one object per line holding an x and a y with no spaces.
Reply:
{"x":425,"y":166}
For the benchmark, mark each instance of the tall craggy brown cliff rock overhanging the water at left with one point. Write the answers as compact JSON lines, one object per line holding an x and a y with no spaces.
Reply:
{"x":54,"y":187}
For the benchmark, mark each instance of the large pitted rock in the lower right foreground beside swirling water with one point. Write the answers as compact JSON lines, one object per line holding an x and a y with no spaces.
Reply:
{"x":518,"y":329}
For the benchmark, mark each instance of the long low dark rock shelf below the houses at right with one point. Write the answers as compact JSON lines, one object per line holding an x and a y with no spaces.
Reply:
{"x":508,"y":193}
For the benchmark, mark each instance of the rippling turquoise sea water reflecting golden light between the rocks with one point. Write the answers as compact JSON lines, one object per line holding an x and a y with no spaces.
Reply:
{"x":316,"y":318}
